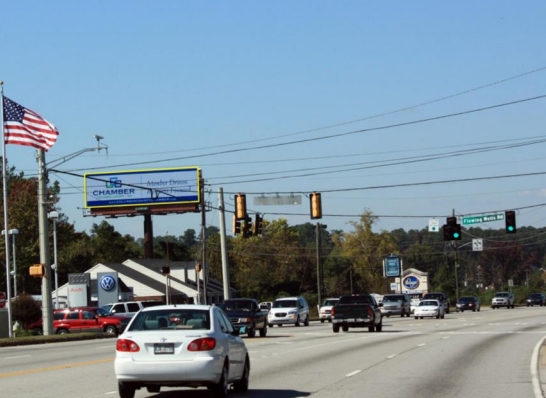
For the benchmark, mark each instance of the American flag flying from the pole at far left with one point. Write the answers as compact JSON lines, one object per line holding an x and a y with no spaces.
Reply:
{"x":25,"y":127}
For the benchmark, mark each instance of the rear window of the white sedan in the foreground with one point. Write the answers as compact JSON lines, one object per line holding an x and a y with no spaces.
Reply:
{"x":171,"y":319}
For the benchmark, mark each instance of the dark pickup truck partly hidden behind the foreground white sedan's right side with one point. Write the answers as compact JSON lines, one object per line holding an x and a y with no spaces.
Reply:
{"x":246,"y":316}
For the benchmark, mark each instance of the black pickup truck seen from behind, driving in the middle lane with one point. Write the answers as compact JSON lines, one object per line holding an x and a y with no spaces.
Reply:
{"x":357,"y":311}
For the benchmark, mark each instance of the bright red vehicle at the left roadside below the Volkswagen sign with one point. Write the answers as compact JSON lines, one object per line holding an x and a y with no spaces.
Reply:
{"x":87,"y":319}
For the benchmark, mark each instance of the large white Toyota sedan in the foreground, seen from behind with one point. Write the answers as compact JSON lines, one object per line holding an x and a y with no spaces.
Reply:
{"x":181,"y":345}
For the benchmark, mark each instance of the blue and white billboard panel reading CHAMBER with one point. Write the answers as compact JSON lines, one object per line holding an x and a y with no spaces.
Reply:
{"x":142,"y":187}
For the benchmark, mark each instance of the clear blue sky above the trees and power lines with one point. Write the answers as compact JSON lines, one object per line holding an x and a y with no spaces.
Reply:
{"x":347,"y":98}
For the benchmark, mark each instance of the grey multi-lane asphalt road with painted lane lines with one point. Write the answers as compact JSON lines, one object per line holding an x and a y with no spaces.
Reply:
{"x":493,"y":353}
